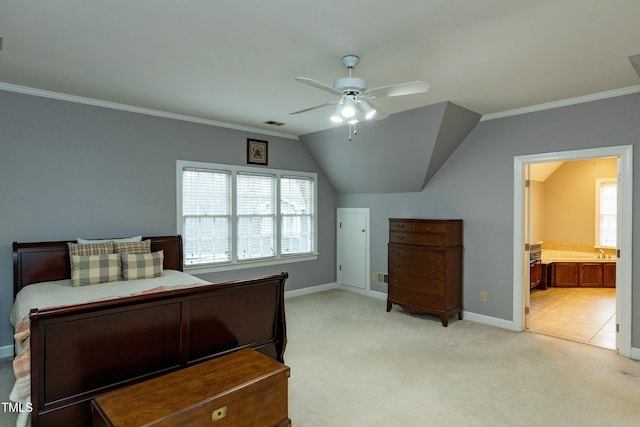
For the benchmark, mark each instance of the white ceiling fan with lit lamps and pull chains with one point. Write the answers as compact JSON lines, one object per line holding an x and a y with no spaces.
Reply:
{"x":353,"y":104}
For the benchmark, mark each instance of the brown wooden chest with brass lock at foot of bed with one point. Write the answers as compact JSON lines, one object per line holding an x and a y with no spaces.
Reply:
{"x":244,"y":388}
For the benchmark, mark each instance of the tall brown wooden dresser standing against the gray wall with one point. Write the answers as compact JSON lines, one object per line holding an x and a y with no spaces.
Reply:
{"x":425,"y":266}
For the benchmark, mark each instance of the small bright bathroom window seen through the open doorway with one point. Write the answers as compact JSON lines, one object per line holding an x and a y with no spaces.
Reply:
{"x":606,"y":212}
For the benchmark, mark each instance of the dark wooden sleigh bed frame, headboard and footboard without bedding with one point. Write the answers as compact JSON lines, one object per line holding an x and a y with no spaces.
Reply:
{"x":82,"y":351}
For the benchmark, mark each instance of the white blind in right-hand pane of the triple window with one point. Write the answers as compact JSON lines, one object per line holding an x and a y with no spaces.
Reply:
{"x":296,"y":208}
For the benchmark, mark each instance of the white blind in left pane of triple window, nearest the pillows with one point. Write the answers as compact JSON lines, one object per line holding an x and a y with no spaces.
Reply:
{"x":206,"y":214}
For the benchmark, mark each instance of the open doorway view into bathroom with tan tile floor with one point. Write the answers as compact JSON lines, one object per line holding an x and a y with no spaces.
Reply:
{"x":572,"y":219}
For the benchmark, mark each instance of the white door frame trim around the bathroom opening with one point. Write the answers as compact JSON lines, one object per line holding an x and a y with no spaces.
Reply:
{"x":522,"y":302}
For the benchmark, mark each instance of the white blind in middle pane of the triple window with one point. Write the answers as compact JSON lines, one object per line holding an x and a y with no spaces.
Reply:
{"x":256,"y":196}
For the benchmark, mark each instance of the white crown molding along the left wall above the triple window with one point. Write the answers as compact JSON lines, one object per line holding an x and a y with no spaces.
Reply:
{"x":132,"y":109}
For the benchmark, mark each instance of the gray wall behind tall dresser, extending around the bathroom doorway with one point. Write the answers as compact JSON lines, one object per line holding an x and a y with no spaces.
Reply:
{"x":476,"y":184}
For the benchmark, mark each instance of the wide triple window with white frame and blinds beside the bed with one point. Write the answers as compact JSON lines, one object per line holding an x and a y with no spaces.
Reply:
{"x":230,"y":216}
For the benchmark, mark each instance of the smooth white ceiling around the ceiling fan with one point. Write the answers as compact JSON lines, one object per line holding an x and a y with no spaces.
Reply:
{"x":235,"y":61}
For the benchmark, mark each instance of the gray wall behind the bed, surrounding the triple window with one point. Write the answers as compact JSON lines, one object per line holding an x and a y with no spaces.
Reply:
{"x":70,"y":170}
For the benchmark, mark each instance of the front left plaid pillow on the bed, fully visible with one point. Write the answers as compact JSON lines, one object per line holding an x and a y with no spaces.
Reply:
{"x":93,"y":269}
